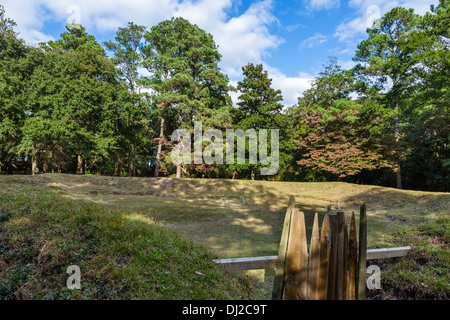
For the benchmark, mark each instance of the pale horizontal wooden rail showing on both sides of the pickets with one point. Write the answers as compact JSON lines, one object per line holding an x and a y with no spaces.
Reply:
{"x":269,"y":262}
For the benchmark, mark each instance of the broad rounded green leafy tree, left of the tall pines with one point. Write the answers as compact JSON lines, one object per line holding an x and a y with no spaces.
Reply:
{"x":73,"y":95}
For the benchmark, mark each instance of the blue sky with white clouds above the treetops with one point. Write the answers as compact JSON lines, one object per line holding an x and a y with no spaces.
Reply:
{"x":292,"y":39}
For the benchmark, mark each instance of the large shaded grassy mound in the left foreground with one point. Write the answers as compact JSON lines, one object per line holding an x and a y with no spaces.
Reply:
{"x":121,"y":254}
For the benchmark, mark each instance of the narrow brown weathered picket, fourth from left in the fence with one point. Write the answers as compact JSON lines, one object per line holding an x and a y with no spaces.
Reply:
{"x":324,"y":254}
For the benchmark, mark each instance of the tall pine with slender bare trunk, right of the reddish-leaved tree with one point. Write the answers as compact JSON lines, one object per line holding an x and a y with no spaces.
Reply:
{"x":389,"y":53}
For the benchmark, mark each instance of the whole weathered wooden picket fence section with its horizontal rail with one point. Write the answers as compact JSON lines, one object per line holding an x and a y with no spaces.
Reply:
{"x":332,"y":268}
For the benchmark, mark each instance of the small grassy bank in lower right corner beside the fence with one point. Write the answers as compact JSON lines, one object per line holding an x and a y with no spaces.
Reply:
{"x":425,"y":273}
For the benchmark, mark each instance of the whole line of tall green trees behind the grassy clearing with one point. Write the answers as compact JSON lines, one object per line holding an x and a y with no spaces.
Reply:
{"x":77,"y":106}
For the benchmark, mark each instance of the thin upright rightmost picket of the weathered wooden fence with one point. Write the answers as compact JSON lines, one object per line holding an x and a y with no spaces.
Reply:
{"x":362,"y":254}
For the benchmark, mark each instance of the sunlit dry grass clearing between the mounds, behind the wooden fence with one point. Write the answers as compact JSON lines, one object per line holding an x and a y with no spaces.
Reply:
{"x":193,"y":207}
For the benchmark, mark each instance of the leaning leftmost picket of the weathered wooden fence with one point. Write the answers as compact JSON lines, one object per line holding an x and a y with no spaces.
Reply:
{"x":278,"y":283}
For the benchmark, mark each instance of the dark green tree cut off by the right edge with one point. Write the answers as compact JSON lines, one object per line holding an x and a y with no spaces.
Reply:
{"x":428,"y":130}
